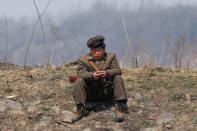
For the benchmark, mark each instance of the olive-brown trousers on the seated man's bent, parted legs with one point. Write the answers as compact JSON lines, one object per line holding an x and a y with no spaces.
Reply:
{"x":84,"y":91}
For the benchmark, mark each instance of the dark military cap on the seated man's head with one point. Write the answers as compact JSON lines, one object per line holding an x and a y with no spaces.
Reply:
{"x":96,"y":41}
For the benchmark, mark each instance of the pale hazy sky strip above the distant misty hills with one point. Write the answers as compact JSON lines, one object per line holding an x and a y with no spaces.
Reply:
{"x":20,"y":8}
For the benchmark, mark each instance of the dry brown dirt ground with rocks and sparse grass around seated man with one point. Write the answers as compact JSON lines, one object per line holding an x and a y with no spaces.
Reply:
{"x":159,"y":99}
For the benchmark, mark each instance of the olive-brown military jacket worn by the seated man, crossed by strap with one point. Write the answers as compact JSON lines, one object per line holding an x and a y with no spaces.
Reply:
{"x":108,"y":63}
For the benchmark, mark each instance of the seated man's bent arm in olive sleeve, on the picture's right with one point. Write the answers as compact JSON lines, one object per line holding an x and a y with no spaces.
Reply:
{"x":114,"y":68}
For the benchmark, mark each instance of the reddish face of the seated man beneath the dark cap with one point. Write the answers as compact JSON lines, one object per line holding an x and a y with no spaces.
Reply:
{"x":97,"y":52}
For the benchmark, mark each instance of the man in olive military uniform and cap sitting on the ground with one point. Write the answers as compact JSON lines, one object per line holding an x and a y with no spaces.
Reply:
{"x":107,"y":87}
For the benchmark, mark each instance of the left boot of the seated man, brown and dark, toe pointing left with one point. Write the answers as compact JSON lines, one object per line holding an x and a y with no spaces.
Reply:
{"x":79,"y":113}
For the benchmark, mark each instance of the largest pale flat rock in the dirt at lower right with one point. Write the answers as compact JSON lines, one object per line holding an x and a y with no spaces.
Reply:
{"x":165,"y":117}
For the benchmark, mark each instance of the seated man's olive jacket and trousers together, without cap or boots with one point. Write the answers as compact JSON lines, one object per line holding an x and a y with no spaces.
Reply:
{"x":86,"y":88}
